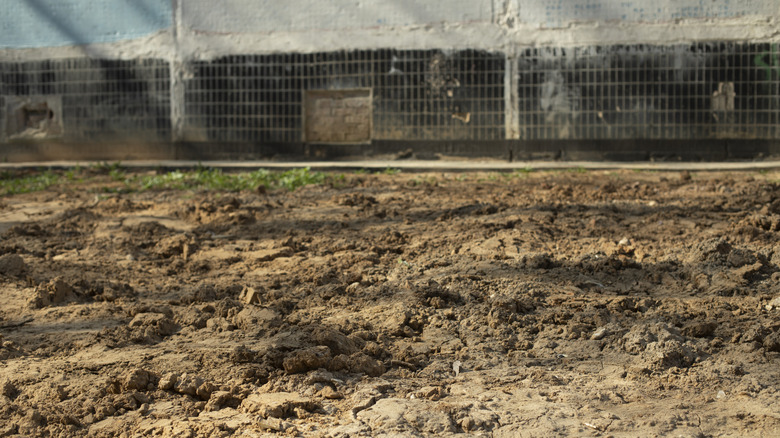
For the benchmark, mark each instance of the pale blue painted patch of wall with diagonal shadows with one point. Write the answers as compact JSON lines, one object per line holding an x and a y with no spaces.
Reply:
{"x":52,"y":23}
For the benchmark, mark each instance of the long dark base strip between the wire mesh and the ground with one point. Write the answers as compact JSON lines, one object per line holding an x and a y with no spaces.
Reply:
{"x":566,"y":151}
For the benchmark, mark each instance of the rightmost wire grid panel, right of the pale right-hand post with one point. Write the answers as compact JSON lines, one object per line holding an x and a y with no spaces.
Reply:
{"x":704,"y":90}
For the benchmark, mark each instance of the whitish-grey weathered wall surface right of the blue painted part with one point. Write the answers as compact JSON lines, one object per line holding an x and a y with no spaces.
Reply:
{"x":244,"y":26}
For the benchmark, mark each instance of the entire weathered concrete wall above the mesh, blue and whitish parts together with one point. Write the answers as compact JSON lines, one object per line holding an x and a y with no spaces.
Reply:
{"x":205,"y":29}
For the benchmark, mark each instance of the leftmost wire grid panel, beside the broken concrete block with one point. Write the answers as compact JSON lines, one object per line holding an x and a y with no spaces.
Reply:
{"x":100,"y":99}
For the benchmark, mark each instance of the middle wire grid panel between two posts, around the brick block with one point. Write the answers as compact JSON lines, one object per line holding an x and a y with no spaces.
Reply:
{"x":416,"y":94}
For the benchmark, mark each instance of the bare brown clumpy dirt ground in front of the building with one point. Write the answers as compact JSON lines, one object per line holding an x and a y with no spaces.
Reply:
{"x":547,"y":304}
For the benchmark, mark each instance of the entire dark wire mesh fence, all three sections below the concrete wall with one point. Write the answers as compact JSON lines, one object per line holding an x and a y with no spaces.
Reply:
{"x":717,"y":90}
